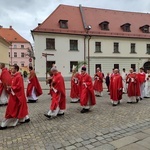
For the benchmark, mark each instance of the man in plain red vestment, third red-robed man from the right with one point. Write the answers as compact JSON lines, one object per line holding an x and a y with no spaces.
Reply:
{"x":116,"y":88}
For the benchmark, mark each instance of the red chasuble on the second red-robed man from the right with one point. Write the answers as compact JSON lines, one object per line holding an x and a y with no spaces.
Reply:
{"x":133,"y":85}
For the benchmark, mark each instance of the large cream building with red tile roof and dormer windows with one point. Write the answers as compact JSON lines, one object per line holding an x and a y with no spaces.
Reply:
{"x":101,"y":37}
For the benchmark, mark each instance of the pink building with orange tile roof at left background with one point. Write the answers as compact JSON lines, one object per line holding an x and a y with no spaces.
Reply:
{"x":18,"y":48}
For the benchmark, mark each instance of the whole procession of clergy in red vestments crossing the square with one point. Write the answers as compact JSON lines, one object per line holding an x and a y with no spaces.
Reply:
{"x":12,"y":93}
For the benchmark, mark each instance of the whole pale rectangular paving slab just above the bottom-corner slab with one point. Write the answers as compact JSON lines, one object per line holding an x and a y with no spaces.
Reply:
{"x":123,"y":141}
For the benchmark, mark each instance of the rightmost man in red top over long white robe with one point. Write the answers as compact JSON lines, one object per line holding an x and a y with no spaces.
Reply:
{"x":142,"y":77}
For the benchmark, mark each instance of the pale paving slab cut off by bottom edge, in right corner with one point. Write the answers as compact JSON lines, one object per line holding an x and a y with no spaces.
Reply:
{"x":133,"y":146}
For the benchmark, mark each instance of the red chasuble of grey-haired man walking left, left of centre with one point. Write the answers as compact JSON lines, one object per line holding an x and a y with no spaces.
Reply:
{"x":58,"y":92}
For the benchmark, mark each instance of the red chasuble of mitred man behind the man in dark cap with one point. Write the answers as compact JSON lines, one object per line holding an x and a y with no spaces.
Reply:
{"x":74,"y":92}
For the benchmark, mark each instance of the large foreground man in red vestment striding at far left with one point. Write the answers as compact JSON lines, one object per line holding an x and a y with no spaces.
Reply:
{"x":17,"y":109}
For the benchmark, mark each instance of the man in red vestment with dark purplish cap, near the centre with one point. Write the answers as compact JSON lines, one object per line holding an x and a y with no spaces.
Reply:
{"x":87,"y":97}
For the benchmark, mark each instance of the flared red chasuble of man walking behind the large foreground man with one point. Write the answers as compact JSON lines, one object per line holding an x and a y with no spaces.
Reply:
{"x":33,"y":83}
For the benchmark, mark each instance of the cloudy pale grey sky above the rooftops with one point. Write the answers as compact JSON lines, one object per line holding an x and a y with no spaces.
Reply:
{"x":24,"y":15}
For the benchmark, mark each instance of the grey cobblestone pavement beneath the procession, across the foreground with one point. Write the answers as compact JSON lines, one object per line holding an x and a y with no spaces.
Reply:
{"x":125,"y":127}
